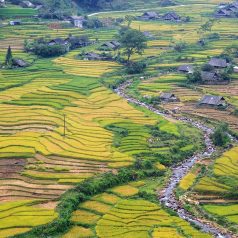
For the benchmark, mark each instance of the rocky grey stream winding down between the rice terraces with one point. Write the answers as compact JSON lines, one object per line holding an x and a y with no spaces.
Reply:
{"x":167,"y":196}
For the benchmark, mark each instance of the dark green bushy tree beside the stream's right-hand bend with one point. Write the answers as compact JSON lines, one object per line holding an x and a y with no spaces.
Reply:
{"x":220,"y":136}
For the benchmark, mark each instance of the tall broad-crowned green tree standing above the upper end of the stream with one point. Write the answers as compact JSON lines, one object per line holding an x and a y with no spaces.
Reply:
{"x":133,"y":42}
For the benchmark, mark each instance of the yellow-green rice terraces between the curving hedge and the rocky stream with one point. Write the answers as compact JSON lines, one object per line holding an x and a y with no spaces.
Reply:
{"x":110,"y":214}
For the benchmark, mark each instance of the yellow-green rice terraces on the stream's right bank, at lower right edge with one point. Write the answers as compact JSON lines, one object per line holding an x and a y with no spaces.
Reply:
{"x":211,"y":189}
